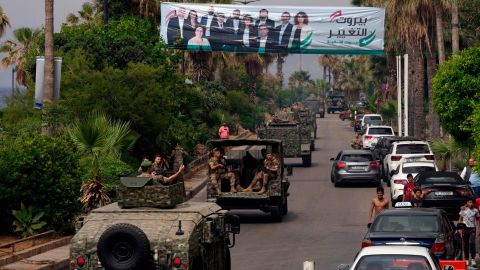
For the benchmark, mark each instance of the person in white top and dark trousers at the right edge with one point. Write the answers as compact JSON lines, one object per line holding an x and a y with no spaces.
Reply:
{"x":468,"y":216}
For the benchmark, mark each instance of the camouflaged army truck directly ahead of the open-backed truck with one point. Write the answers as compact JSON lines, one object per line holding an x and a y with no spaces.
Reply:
{"x":297,"y":142}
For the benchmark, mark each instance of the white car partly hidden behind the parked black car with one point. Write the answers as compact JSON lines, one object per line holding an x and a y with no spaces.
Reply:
{"x":399,"y":178}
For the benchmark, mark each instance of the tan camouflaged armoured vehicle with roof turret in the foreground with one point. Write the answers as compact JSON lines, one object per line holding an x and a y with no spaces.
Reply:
{"x":151,"y":227}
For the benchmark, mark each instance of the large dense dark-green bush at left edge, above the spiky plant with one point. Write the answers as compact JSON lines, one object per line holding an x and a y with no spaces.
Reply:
{"x":42,"y":172}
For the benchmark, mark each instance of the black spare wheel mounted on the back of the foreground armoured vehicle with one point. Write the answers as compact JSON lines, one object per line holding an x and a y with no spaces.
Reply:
{"x":123,"y":247}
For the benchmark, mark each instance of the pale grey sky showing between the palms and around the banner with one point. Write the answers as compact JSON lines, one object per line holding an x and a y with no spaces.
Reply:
{"x":30,"y":13}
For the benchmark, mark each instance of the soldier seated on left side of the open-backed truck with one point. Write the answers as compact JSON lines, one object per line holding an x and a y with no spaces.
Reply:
{"x":218,"y":171}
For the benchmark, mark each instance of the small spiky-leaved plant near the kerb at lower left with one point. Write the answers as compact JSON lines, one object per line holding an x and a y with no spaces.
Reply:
{"x":26,"y":223}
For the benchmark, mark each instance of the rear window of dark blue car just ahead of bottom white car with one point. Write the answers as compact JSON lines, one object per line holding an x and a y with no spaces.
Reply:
{"x":406,"y":223}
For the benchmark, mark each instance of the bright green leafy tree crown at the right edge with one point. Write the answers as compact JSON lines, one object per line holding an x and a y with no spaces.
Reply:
{"x":456,"y":89}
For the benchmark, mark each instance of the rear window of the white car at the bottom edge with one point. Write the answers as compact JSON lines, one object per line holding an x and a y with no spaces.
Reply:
{"x":393,"y":262}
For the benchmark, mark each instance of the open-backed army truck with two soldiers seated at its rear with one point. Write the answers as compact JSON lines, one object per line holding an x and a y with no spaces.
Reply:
{"x":244,"y":157}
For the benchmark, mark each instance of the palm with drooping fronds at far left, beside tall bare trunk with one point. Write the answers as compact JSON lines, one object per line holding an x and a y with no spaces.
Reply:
{"x":16,"y":50}
